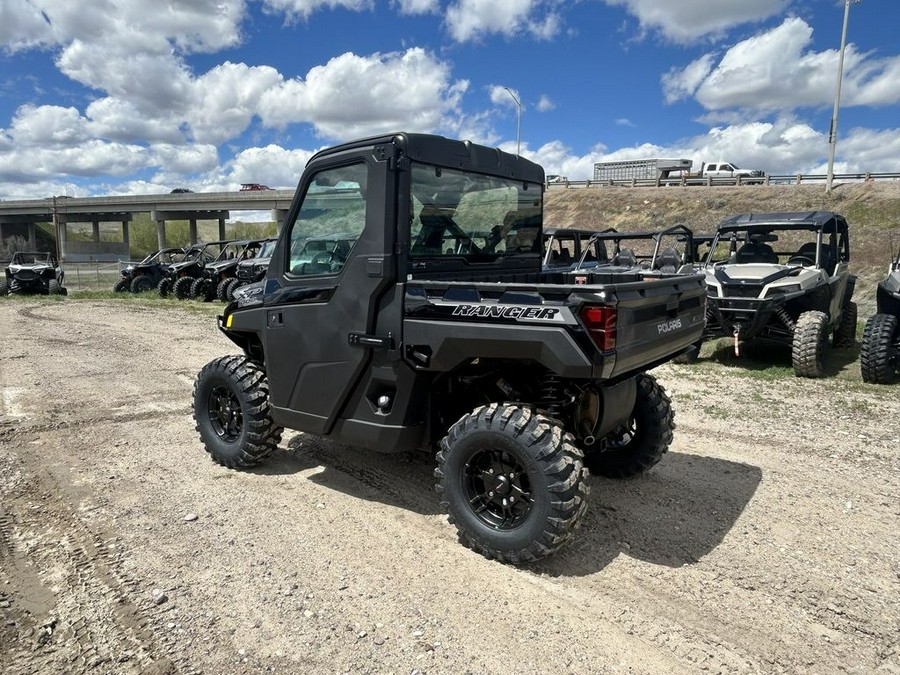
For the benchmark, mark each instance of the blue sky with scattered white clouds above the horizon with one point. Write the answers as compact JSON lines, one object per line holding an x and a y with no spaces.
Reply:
{"x":127,"y":96}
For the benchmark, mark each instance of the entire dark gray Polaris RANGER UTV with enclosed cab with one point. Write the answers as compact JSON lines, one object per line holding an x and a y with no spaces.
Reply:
{"x":409,"y":329}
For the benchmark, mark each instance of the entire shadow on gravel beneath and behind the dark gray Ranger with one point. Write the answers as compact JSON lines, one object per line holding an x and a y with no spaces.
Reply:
{"x":675,"y":515}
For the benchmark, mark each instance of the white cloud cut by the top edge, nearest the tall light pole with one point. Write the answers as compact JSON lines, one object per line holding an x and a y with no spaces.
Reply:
{"x":683,"y":21}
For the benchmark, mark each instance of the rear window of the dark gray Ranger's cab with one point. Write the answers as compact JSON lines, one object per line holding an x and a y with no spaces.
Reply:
{"x":472,"y":216}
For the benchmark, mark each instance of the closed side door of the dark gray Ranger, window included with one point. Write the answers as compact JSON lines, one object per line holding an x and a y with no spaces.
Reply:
{"x":333,"y":265}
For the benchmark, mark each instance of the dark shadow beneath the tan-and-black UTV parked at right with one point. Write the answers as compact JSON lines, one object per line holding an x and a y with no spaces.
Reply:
{"x":765,"y":355}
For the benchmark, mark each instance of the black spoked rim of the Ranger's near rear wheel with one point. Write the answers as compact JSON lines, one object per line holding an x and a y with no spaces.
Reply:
{"x":497,"y":489}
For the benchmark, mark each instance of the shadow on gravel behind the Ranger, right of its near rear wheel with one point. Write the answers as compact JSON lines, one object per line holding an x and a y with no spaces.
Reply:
{"x":673,"y":516}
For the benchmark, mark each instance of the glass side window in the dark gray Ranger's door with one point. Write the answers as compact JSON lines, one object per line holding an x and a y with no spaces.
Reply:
{"x":332,"y":216}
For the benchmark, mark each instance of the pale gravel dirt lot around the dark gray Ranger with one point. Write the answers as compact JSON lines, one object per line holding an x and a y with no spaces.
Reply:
{"x":765,"y":541}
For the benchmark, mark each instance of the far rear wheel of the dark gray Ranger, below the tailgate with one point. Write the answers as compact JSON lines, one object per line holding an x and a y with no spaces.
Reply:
{"x":640,"y":444}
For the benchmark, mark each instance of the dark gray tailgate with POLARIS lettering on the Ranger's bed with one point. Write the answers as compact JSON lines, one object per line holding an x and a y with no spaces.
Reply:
{"x":656,"y":321}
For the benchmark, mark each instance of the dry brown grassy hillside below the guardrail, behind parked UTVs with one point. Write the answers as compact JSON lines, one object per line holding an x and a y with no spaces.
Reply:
{"x":872,"y":209}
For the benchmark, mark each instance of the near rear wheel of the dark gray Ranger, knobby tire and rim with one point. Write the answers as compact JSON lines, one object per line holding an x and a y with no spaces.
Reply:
{"x":512,"y":481}
